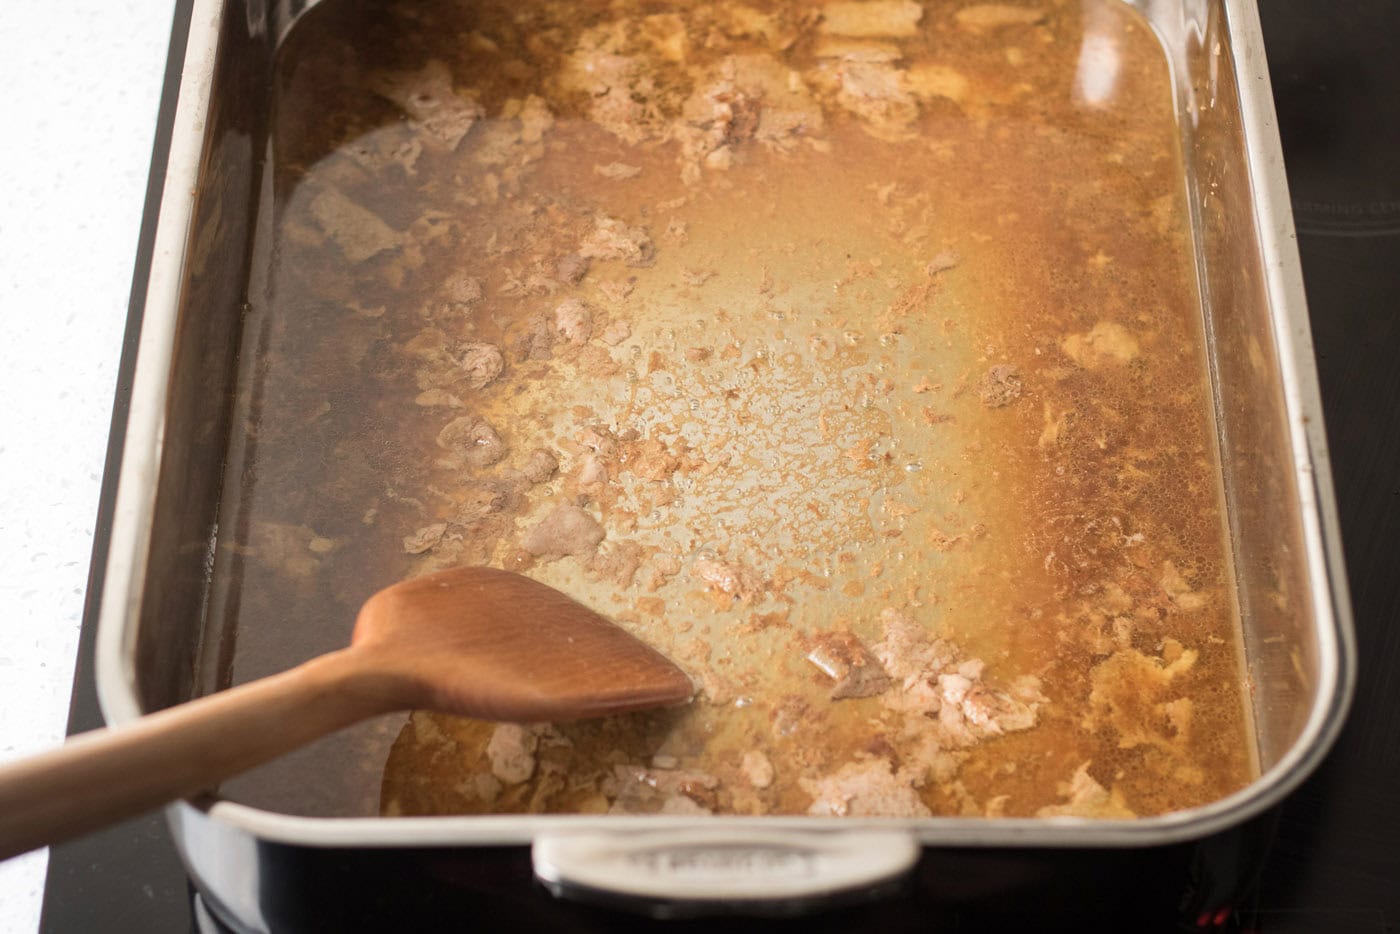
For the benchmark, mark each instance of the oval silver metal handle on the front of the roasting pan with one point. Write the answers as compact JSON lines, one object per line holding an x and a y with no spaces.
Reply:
{"x":689,"y":872}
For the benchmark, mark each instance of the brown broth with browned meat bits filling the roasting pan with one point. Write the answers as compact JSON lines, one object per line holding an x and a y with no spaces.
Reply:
{"x":848,"y":354}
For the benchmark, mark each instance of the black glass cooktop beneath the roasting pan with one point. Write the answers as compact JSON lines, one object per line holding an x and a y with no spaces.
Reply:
{"x":1335,"y":863}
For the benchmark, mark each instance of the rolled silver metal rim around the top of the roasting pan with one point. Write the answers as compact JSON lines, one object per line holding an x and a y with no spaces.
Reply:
{"x":117,"y":673}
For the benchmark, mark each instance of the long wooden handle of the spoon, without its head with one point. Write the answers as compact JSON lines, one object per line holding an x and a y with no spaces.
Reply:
{"x":108,"y":775}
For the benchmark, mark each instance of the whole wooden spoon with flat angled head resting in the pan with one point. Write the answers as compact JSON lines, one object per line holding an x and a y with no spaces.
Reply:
{"x":471,"y":642}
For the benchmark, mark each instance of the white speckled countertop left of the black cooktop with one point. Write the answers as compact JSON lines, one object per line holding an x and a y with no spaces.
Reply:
{"x":83,"y":83}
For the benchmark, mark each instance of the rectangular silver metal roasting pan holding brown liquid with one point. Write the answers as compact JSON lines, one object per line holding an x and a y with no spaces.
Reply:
{"x":1283,"y":529}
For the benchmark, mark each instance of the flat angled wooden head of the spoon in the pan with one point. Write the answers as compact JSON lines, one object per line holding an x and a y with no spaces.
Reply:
{"x":496,"y":646}
